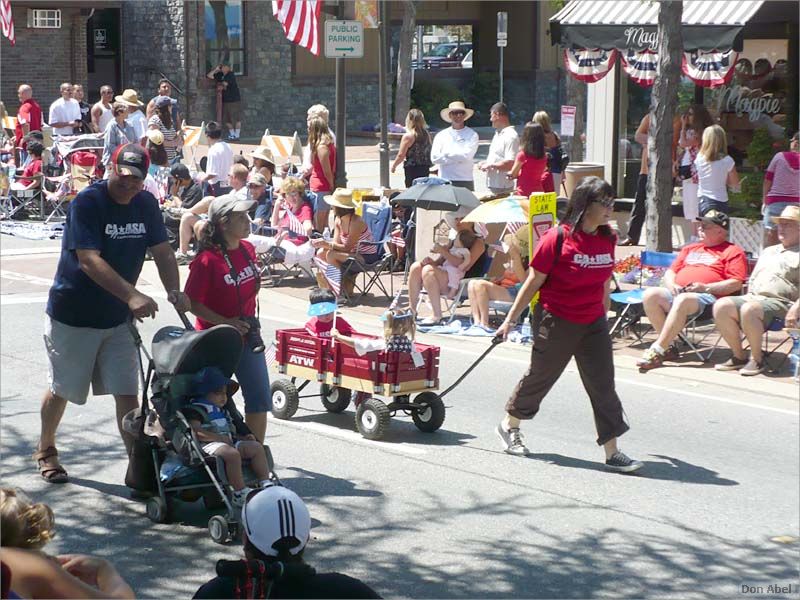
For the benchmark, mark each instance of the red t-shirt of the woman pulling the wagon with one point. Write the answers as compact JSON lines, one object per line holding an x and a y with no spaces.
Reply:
{"x":576,"y":282}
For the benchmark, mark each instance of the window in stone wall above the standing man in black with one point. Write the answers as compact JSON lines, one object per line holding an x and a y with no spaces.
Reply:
{"x":224,"y":34}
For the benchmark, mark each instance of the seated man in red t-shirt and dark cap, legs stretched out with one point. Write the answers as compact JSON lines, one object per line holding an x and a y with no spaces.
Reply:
{"x":702,"y":272}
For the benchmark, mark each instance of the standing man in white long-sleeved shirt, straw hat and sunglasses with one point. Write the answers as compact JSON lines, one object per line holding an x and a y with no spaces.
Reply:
{"x":454,"y":148}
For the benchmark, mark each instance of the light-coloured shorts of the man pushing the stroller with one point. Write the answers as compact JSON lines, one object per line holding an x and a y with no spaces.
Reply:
{"x":79,"y":356}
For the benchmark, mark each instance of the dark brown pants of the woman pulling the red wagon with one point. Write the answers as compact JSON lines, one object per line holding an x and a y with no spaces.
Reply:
{"x":555,"y":342}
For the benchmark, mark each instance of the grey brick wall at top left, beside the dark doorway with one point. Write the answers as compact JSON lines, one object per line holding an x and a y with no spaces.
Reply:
{"x":42,"y":58}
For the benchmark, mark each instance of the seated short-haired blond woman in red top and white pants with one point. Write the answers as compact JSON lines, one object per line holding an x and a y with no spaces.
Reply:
{"x":293,"y":219}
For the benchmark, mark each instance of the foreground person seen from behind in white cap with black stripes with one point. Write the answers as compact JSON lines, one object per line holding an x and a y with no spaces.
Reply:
{"x":268,"y":538}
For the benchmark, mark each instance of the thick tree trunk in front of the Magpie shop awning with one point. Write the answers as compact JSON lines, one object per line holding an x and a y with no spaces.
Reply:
{"x":663,"y":105}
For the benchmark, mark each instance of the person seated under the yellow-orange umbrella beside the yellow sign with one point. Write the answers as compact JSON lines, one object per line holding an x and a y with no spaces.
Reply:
{"x":505,"y":288}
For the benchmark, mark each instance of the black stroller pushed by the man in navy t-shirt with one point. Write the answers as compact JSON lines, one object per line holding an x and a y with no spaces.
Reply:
{"x":167,"y":458}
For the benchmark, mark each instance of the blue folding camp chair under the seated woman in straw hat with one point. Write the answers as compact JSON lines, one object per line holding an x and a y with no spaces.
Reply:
{"x":379,"y":221}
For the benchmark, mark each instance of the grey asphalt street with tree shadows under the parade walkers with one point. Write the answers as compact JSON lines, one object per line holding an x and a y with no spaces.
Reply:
{"x":449,"y":515}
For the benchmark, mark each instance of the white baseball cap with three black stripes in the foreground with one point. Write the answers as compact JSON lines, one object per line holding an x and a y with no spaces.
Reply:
{"x":276,"y":519}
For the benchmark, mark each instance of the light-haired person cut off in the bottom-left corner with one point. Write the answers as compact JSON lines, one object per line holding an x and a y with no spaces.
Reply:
{"x":29,"y":573}
